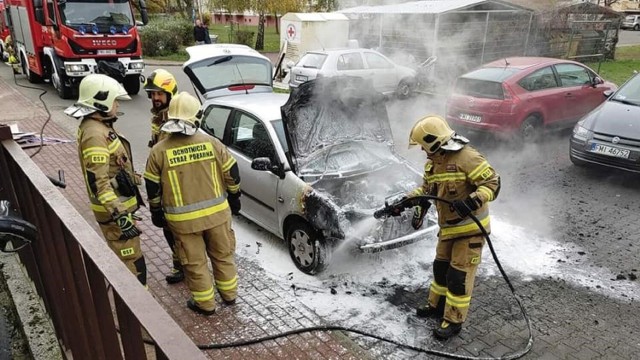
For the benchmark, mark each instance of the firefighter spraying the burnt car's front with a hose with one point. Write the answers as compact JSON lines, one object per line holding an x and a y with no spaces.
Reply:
{"x":457,"y":172}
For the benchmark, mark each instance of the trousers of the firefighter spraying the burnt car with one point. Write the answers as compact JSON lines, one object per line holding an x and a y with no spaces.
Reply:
{"x":454,"y":272}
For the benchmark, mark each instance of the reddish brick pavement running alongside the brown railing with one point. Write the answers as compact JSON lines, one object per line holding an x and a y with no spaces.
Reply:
{"x":262,"y":308}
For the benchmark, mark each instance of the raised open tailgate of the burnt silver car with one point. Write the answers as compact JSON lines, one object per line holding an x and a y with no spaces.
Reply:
{"x":228,"y":69}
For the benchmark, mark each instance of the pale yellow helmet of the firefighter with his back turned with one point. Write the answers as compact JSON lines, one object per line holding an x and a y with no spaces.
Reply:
{"x":183,"y":114}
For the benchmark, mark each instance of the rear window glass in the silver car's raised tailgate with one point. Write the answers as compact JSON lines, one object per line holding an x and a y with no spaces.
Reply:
{"x":231,"y":70}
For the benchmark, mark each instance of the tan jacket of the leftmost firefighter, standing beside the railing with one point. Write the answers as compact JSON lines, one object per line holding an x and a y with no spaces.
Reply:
{"x":103,"y":154}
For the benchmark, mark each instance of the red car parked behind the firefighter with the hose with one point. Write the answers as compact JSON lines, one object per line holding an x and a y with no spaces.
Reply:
{"x":520,"y":96}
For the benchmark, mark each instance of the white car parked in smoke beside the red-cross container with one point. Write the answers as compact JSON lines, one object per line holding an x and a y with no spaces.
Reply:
{"x":383,"y":74}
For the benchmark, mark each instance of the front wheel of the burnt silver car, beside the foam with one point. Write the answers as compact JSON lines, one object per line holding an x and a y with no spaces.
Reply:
{"x":307,"y":248}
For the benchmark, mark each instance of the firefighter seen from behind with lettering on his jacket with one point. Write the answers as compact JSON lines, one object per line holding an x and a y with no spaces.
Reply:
{"x":193,"y":184}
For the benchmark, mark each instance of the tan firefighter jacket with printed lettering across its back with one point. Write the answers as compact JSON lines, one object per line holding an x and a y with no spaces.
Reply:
{"x":189,"y":176}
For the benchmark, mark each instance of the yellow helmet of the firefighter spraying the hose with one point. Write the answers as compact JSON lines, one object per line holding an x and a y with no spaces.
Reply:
{"x":432,"y":133}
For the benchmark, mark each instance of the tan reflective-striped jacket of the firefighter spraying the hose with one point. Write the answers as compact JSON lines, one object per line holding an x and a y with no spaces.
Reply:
{"x":455,"y":176}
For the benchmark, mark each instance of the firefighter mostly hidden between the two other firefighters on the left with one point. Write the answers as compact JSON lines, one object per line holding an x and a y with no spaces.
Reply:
{"x":160,"y":86}
